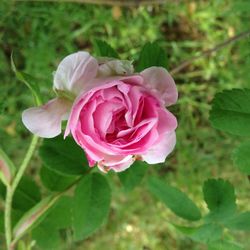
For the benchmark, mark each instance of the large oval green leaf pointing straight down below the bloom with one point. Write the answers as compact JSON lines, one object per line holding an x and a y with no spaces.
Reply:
{"x":90,"y":205}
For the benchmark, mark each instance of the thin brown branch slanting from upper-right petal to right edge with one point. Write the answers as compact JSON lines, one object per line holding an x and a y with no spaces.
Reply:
{"x":208,"y":52}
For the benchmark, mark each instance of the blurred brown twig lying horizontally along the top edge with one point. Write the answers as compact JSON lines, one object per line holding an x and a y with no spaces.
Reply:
{"x":125,"y":3}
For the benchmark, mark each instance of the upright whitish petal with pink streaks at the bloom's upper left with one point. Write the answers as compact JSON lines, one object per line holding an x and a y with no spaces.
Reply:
{"x":75,"y":71}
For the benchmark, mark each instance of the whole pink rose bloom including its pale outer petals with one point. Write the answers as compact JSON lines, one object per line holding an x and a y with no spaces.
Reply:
{"x":117,"y":116}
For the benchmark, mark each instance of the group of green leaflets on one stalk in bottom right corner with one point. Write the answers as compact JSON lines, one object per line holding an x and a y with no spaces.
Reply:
{"x":212,"y":228}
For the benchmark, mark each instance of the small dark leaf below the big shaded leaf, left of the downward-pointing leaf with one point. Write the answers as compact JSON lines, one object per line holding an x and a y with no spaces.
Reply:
{"x":54,"y":181}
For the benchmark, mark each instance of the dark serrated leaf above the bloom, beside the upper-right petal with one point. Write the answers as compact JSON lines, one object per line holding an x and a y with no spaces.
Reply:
{"x":151,"y":55}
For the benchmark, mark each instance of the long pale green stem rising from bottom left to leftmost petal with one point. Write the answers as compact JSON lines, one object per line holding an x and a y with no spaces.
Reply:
{"x":11,"y":190}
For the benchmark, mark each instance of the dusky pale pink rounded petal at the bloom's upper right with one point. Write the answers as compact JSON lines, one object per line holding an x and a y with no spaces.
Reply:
{"x":159,"y":80}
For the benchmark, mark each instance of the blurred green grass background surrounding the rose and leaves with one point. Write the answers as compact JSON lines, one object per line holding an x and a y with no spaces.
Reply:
{"x":40,"y":34}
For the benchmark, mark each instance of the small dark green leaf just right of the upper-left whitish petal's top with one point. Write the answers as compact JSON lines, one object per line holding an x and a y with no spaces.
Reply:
{"x":103,"y":49}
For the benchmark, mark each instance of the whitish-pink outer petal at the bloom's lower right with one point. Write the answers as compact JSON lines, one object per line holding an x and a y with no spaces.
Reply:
{"x":159,"y":152}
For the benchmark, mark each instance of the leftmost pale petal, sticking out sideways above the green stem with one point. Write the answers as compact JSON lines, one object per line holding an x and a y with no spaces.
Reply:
{"x":45,"y":121}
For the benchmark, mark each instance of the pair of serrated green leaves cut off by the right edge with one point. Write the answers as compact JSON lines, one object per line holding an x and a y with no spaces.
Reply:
{"x":231,"y":113}
